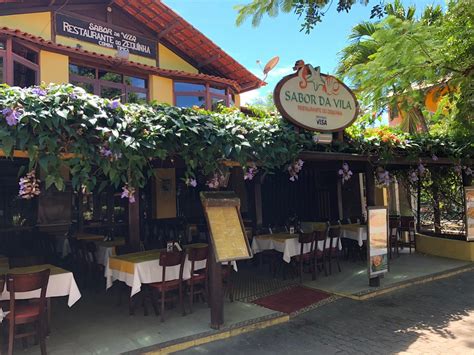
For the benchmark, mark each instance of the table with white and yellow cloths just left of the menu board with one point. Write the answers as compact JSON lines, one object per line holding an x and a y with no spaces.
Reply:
{"x":135,"y":269}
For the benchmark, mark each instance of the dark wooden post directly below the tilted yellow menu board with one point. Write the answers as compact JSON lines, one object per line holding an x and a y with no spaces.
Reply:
{"x":216,"y":295}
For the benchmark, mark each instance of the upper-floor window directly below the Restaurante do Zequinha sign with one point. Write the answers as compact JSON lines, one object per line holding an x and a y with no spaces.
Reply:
{"x":109,"y":84}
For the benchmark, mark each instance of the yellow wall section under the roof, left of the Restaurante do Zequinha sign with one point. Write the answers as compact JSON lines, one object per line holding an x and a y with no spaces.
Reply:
{"x":38,"y":24}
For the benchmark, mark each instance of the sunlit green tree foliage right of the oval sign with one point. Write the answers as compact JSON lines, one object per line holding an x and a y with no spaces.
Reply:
{"x":395,"y":61}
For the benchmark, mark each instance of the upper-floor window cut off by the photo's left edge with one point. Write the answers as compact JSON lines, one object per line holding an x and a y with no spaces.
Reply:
{"x":18,"y":63}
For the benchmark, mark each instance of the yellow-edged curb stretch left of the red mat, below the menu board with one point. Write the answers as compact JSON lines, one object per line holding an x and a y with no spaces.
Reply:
{"x":212,"y":335}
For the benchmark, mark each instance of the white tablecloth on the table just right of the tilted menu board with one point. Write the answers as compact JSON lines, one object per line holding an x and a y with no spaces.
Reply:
{"x":289,"y":246}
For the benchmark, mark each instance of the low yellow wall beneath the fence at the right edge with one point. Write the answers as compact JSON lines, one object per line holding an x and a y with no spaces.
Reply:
{"x":455,"y":249}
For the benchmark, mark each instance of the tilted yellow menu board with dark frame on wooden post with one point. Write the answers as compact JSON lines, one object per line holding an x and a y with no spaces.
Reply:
{"x":226,"y":229}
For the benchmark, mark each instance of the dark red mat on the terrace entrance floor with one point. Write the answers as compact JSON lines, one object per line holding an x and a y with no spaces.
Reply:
{"x":292,"y":299}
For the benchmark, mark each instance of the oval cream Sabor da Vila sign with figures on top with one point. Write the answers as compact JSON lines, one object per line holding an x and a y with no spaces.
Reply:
{"x":315,"y":101}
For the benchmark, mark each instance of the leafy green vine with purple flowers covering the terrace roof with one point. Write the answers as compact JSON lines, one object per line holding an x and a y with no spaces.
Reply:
{"x":105,"y":142}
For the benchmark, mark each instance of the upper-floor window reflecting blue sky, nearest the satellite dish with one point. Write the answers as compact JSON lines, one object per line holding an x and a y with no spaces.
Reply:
{"x":200,"y":95}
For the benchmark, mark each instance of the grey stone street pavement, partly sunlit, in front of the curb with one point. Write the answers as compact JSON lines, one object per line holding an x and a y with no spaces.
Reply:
{"x":432,"y":318}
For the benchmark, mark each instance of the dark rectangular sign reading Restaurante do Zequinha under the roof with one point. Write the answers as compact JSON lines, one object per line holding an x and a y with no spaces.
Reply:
{"x":104,"y":35}
